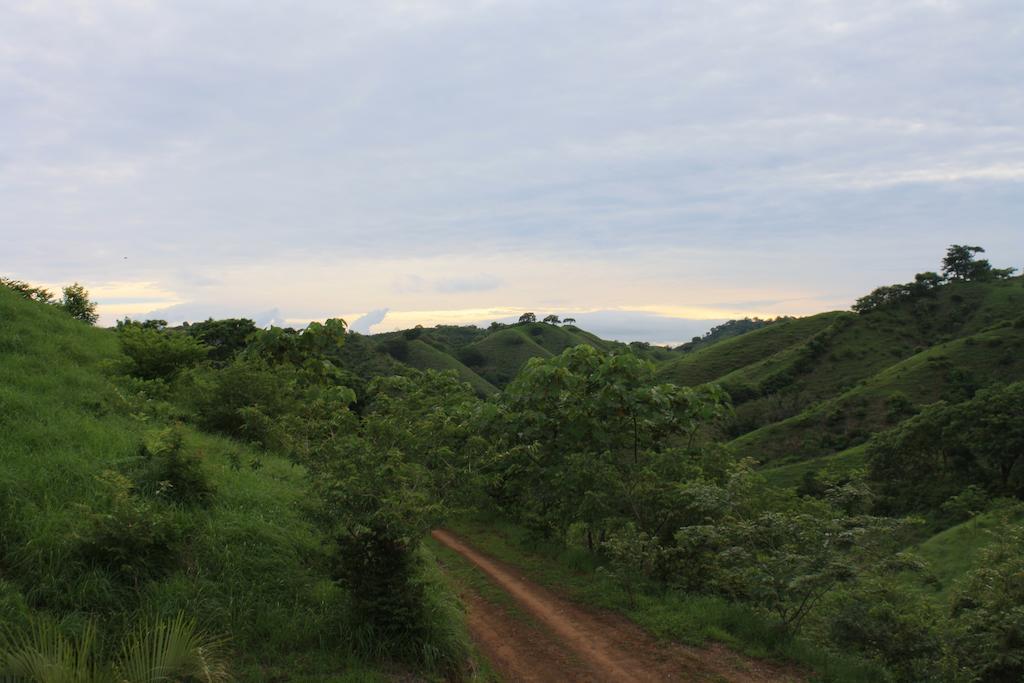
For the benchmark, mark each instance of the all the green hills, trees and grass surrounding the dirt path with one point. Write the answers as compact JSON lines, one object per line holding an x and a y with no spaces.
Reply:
{"x":837,"y":495}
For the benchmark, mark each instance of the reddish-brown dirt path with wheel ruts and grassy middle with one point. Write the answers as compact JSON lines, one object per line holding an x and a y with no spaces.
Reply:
{"x":582,"y":645}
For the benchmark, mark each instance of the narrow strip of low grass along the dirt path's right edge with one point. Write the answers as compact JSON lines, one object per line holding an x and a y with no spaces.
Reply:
{"x":670,"y":615}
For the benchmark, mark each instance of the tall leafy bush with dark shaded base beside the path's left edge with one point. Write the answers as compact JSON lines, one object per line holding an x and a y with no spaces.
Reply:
{"x":381,"y":485}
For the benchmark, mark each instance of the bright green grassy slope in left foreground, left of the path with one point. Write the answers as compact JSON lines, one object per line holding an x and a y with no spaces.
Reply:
{"x":78,"y":541}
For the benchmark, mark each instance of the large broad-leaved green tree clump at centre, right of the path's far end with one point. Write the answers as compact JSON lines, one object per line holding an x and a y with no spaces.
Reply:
{"x":588,"y":438}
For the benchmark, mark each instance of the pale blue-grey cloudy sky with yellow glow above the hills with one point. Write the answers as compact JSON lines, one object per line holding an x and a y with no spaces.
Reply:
{"x":649,"y":168}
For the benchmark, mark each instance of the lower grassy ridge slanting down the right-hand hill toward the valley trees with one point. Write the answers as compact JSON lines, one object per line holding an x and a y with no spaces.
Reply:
{"x":951,"y":371}
